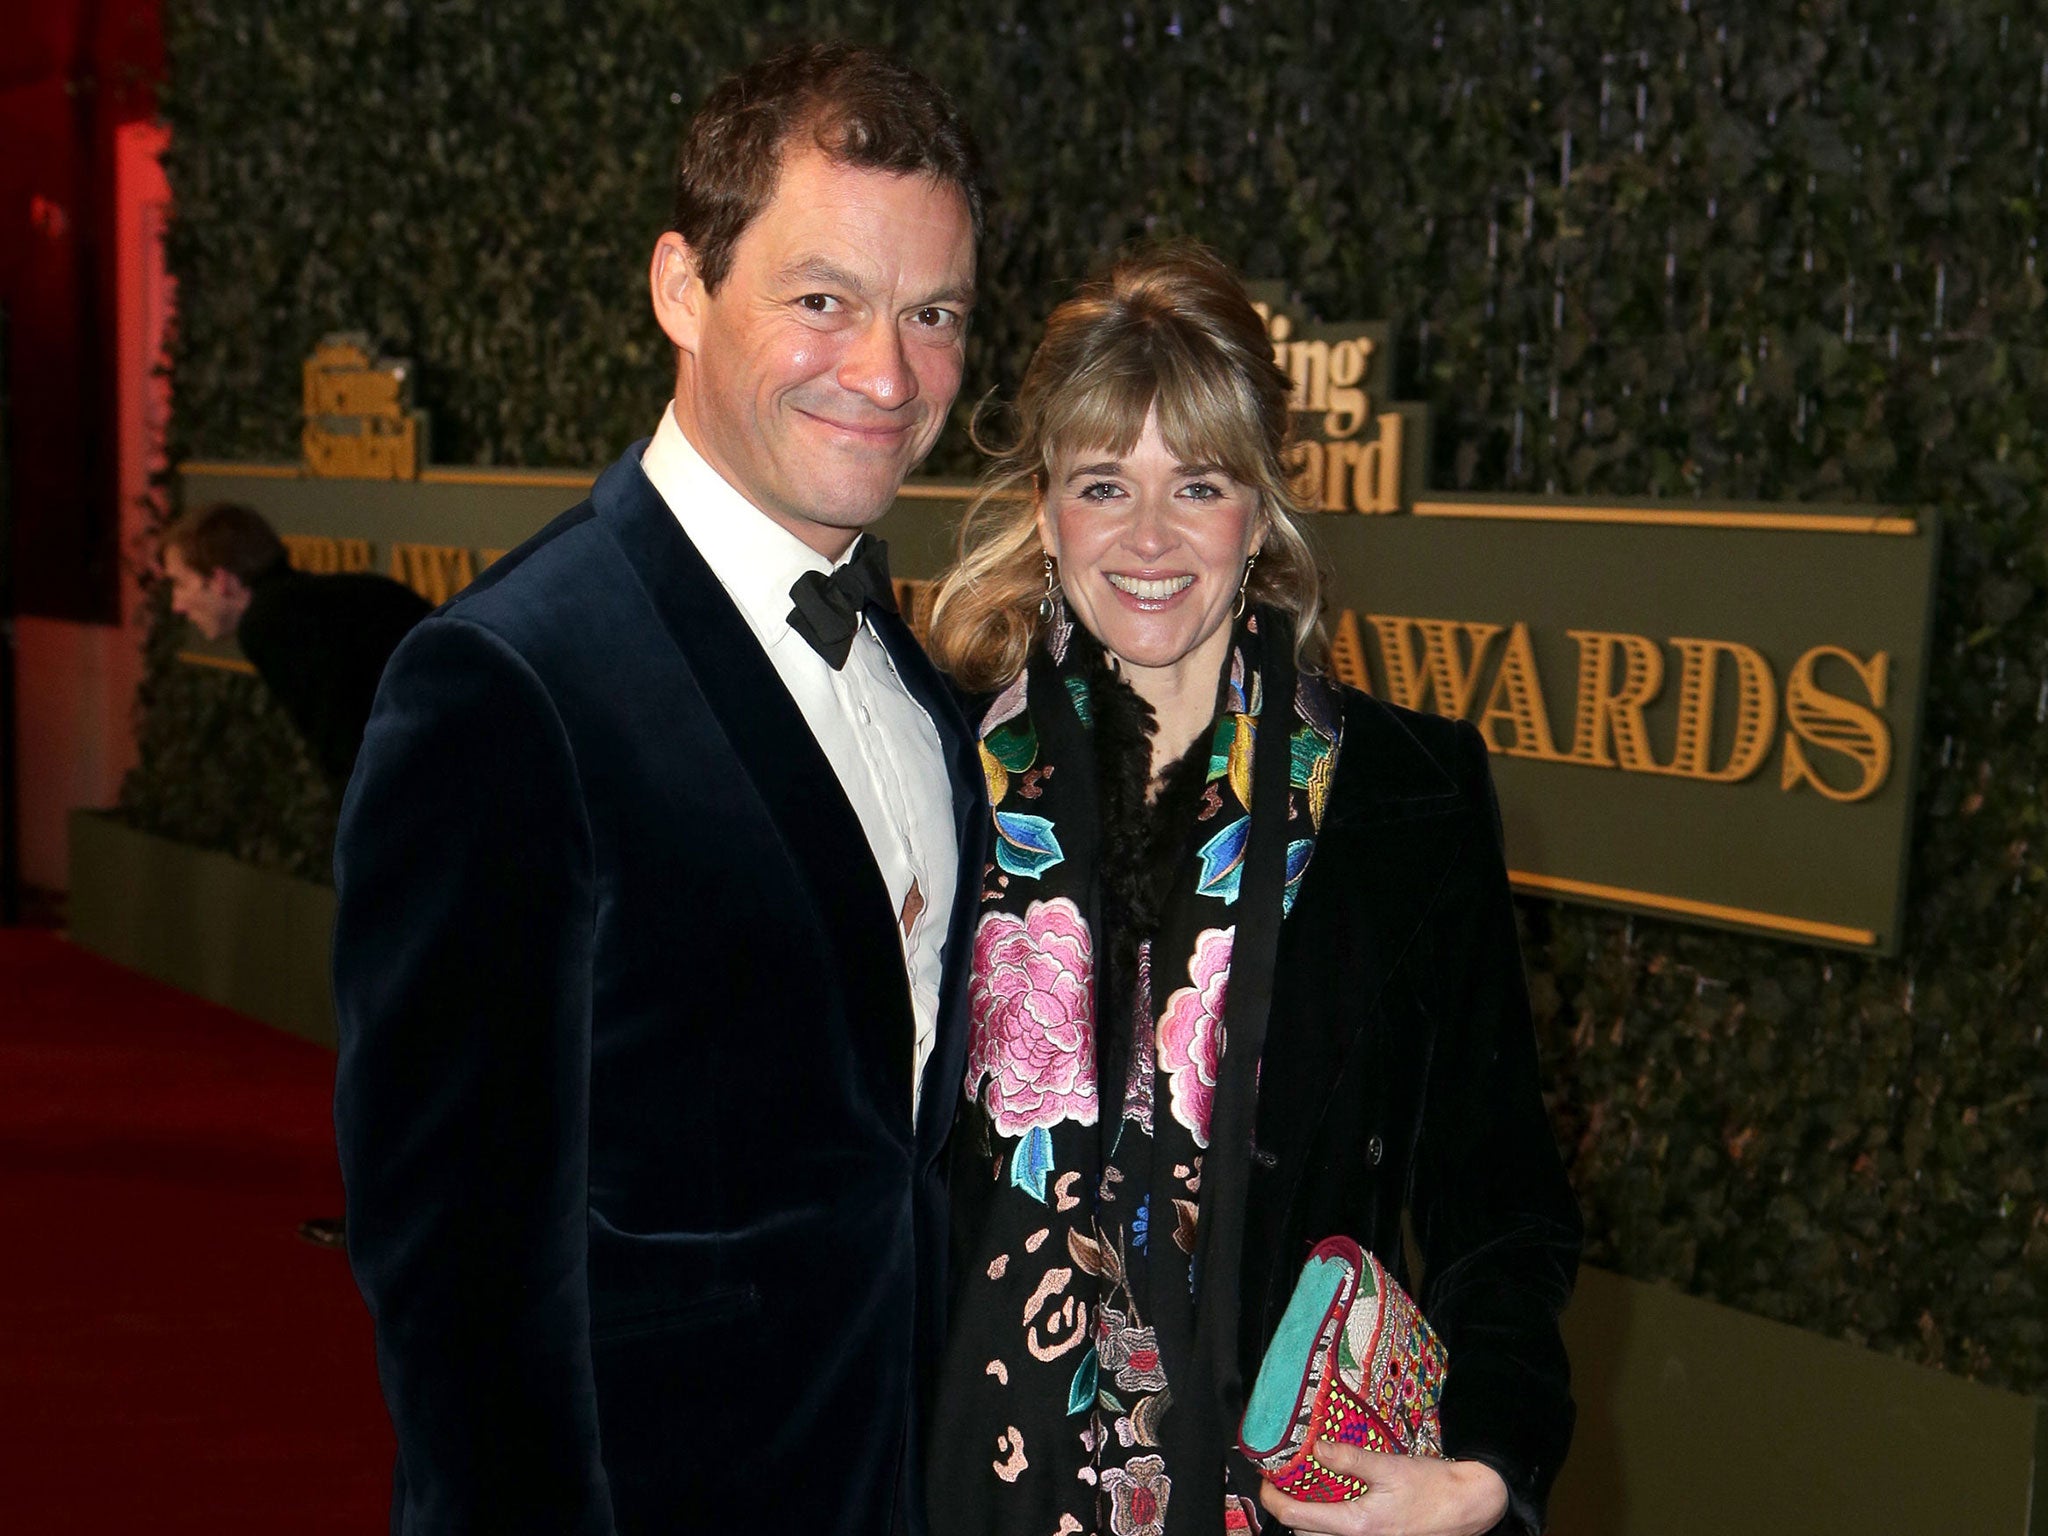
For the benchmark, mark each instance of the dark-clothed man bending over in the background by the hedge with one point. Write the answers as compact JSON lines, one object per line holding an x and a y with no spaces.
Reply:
{"x":318,"y":642}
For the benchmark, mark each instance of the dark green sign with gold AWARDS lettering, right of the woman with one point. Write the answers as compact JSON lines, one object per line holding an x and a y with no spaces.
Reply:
{"x":1701,"y":712}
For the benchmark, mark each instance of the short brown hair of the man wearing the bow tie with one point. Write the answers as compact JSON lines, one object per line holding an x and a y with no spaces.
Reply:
{"x":859,"y":105}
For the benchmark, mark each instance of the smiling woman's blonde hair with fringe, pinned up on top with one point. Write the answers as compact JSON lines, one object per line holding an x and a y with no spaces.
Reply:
{"x":1166,"y":329}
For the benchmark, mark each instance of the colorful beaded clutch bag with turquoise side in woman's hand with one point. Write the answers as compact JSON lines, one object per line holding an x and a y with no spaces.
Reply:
{"x":1353,"y":1363}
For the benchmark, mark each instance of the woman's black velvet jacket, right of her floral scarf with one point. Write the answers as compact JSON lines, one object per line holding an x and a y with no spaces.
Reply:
{"x":1400,"y":1070}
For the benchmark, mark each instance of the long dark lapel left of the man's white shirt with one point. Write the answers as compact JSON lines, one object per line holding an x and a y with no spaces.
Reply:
{"x":796,"y":781}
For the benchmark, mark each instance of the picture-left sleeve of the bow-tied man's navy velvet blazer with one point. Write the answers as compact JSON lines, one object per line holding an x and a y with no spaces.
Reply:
{"x":462,"y":982}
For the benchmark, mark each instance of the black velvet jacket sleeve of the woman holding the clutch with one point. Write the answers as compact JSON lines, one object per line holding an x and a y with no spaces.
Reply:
{"x":1496,"y":1222}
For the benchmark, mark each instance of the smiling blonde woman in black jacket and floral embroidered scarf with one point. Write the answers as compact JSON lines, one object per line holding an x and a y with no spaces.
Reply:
{"x":1246,"y":976}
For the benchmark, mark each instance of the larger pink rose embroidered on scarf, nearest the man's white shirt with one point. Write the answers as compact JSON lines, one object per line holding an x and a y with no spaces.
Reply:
{"x":1031,"y":1005}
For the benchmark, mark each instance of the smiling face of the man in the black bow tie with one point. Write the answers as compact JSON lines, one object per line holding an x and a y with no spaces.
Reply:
{"x":822,"y":370}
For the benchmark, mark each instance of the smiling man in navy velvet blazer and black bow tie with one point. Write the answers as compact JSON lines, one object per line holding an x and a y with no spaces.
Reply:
{"x":656,"y":888}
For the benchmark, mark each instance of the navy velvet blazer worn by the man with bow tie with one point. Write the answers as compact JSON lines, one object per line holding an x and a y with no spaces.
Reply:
{"x":624,"y":1111}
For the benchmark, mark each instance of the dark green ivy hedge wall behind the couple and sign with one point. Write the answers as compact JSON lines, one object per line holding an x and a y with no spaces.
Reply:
{"x":1762,"y":251}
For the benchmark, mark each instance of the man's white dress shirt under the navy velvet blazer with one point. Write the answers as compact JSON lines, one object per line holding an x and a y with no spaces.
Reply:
{"x":878,"y":738}
